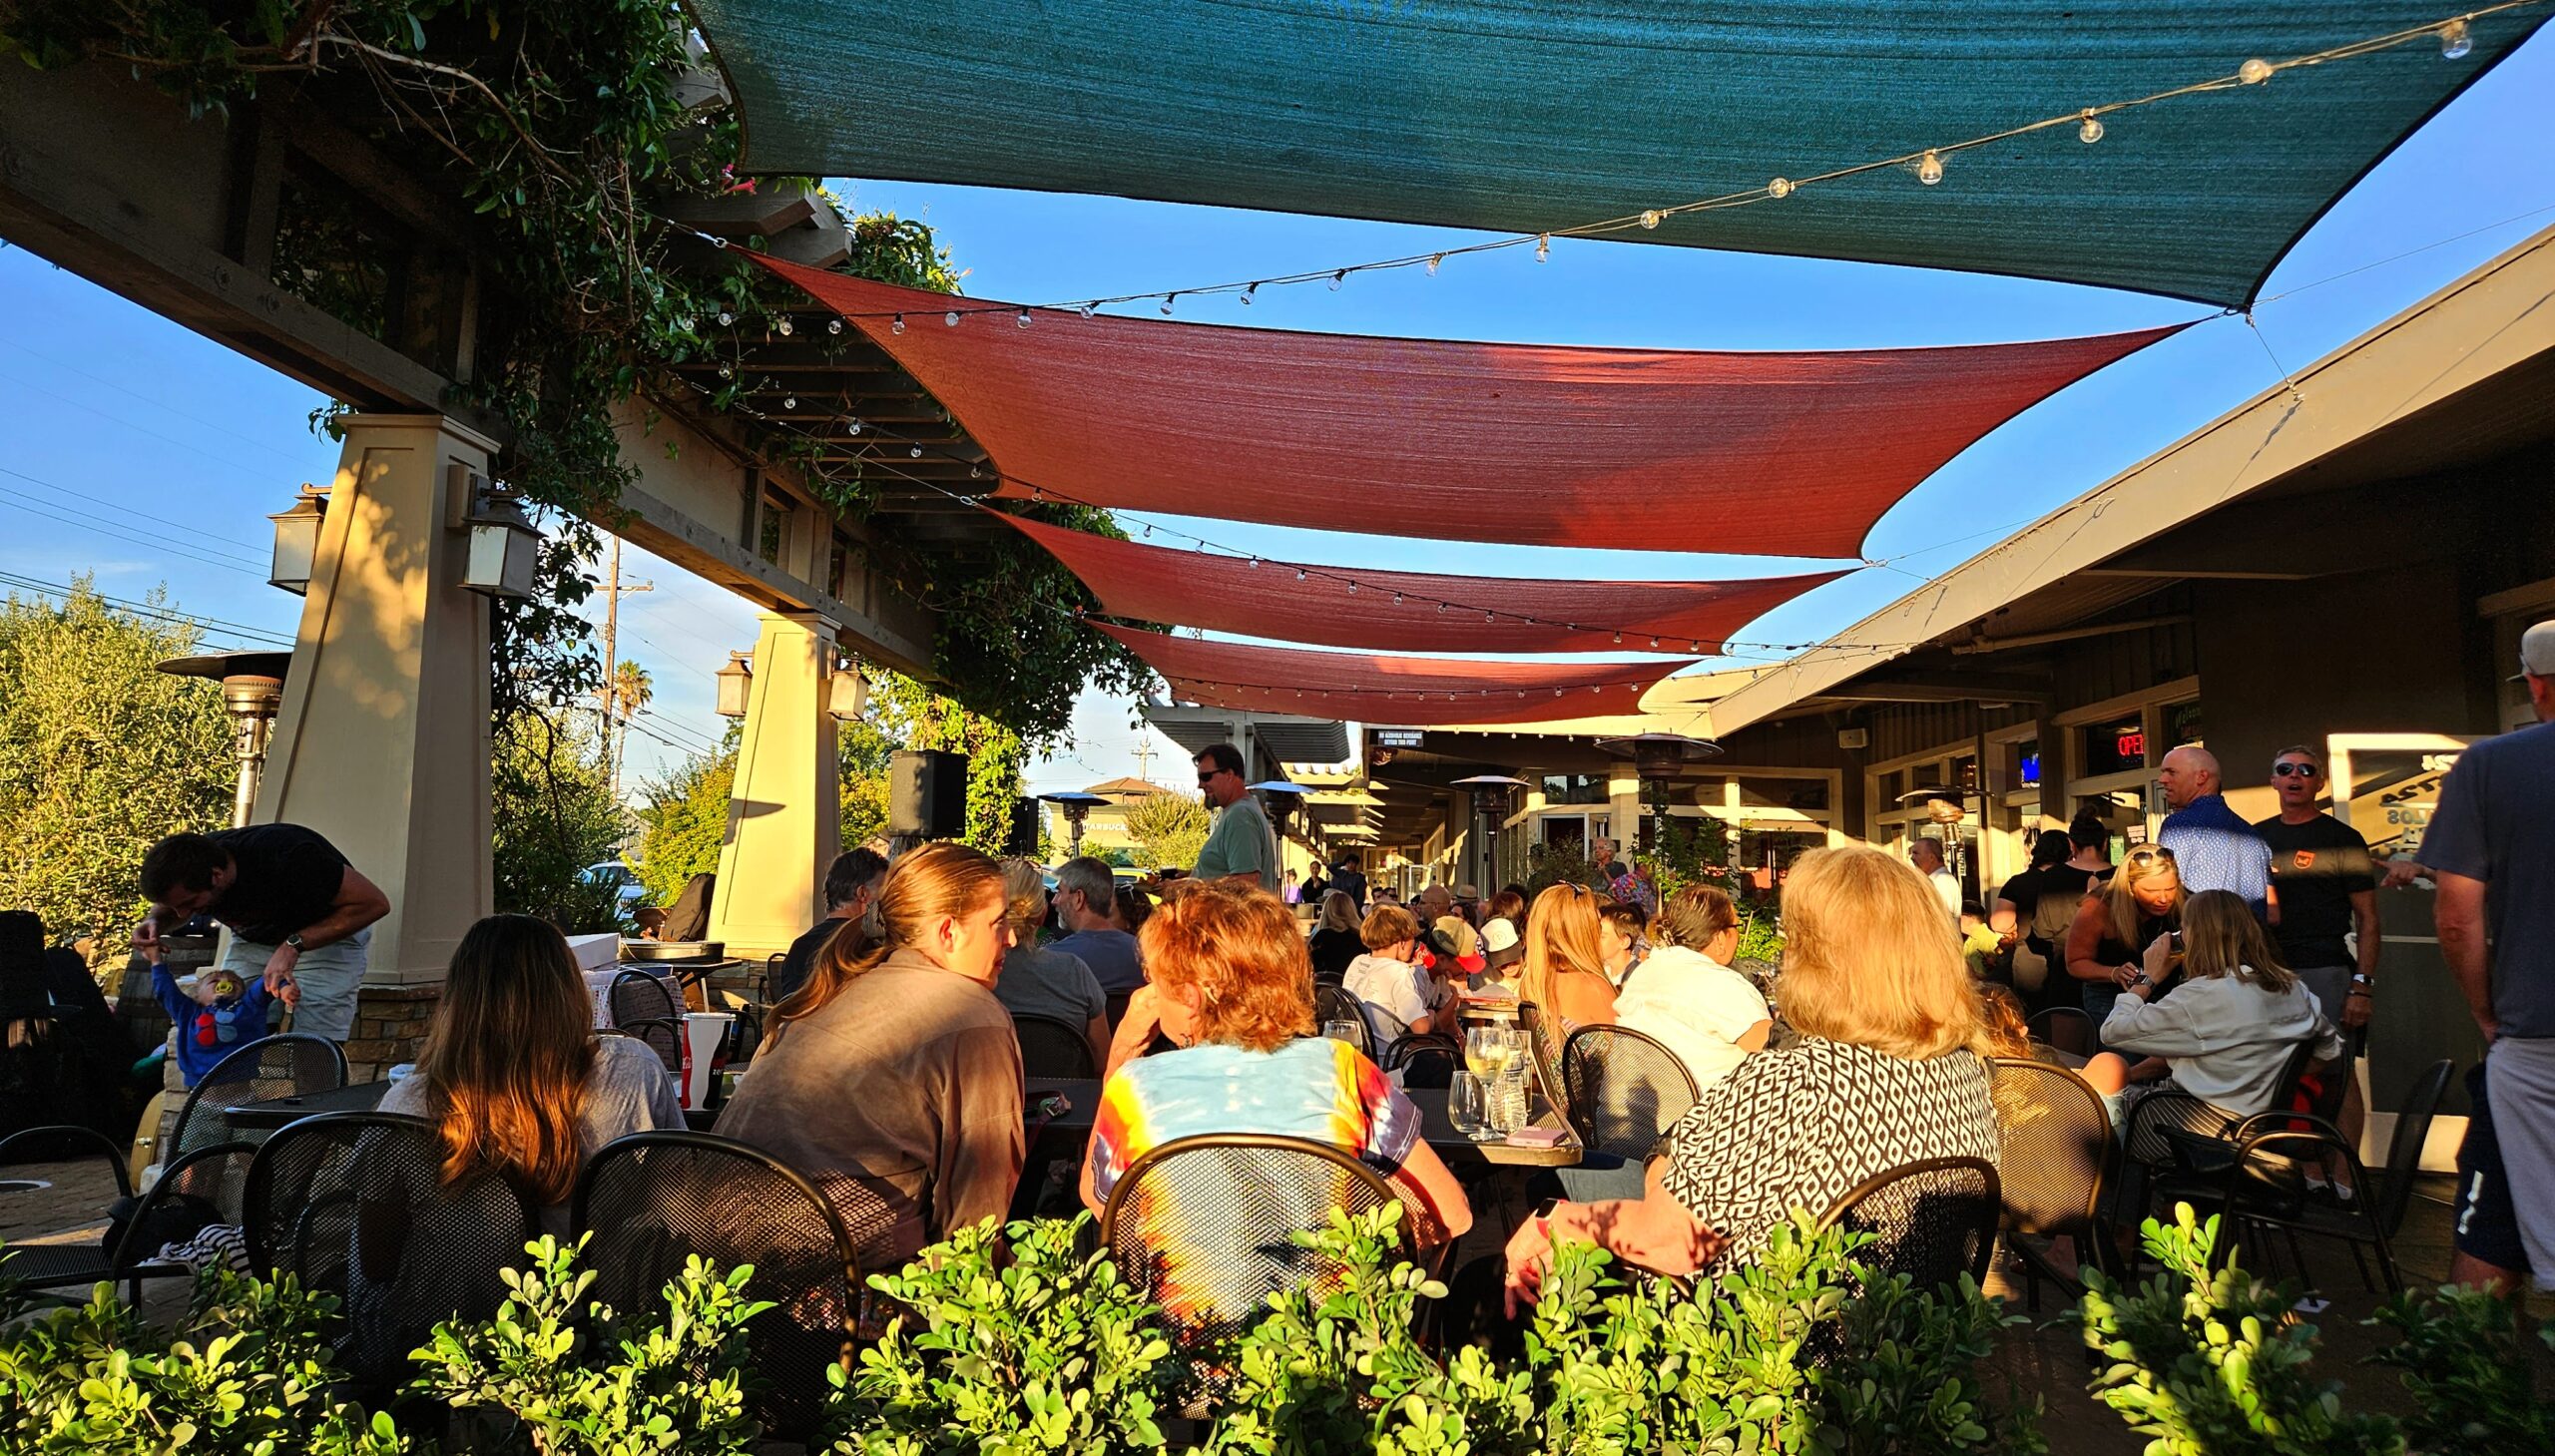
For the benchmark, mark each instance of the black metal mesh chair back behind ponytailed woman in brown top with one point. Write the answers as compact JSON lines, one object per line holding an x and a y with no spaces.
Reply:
{"x":653,"y":1199}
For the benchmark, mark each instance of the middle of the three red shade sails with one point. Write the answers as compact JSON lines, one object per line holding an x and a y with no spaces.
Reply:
{"x":1407,"y":612}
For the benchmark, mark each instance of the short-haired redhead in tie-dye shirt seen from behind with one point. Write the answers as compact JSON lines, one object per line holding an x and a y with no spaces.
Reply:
{"x":1230,"y":985}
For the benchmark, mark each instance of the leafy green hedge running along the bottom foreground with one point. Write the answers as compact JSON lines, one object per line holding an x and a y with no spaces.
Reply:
{"x":1018,"y":1345}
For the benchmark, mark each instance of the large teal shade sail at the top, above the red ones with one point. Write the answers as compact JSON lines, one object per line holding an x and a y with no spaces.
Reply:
{"x":1537,"y":116}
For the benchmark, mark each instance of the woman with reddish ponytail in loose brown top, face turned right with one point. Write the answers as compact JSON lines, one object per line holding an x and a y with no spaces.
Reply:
{"x":893,"y":1077}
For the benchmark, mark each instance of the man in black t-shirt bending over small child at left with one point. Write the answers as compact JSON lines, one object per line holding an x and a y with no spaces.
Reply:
{"x":295,"y":908}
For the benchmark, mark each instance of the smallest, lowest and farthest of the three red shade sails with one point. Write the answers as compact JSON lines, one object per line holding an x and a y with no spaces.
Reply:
{"x":1419,"y":691}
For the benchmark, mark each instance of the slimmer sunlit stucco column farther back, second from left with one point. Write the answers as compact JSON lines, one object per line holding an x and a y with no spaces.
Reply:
{"x":786,"y":819}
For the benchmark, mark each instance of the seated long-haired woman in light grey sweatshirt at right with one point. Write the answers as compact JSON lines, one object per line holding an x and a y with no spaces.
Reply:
{"x":2227,"y":1033}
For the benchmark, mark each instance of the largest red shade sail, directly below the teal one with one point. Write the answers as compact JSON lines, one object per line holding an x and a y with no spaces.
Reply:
{"x":1780,"y":453}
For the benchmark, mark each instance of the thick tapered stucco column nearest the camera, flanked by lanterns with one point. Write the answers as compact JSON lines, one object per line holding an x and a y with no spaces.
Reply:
{"x":382,"y":742}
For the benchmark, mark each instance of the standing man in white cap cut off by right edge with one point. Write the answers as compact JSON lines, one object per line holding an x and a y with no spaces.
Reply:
{"x":2492,"y":852}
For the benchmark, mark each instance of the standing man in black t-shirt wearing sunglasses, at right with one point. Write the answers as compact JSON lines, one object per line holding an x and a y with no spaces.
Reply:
{"x":2326,"y":890}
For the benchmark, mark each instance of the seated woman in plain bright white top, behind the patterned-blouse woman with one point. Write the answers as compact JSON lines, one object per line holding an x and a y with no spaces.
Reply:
{"x":1685,"y":992}
